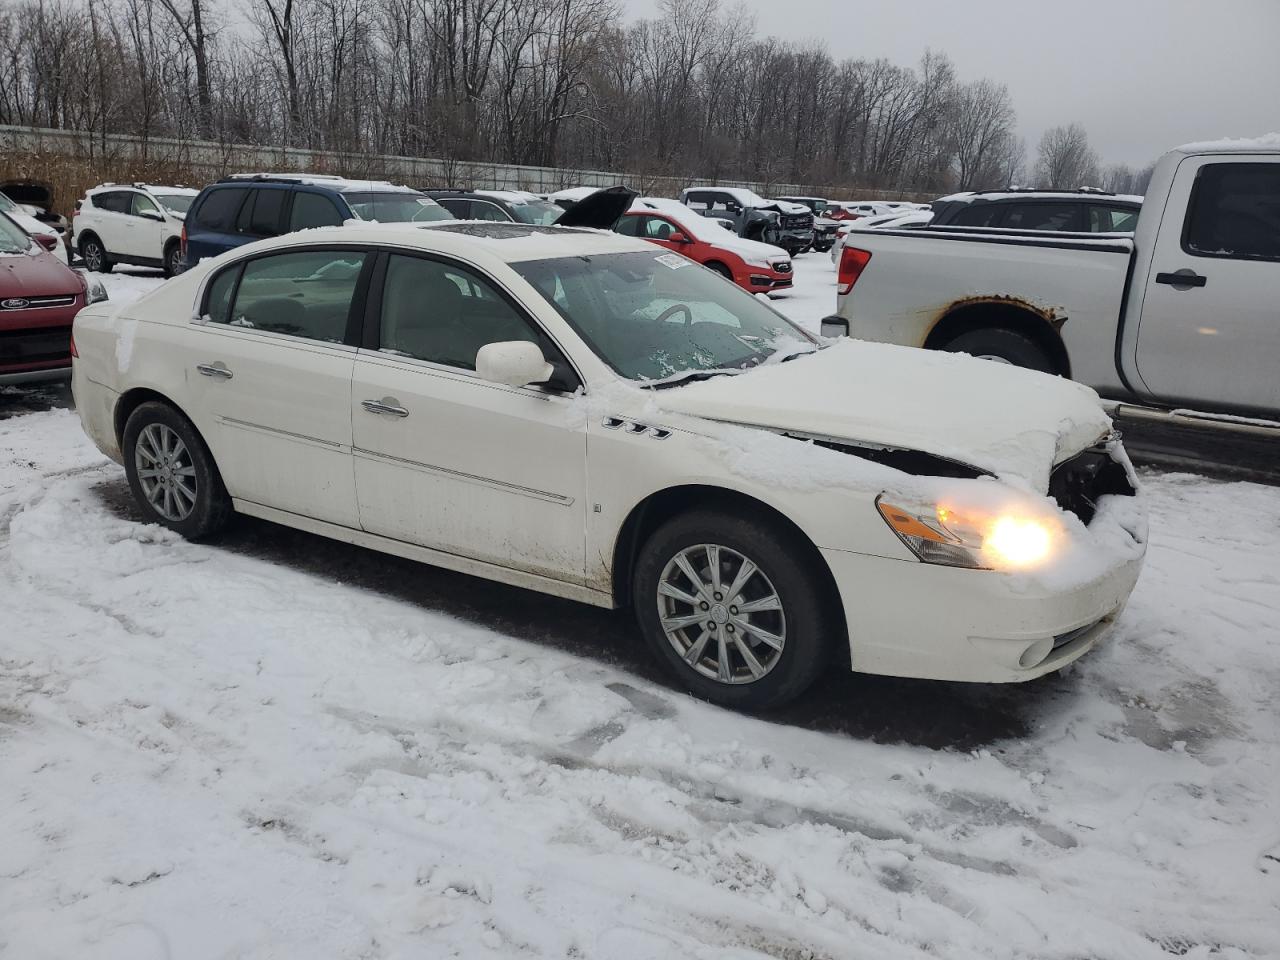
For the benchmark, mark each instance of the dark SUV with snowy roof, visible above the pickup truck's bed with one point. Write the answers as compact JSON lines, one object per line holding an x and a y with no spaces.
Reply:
{"x":1075,"y":212}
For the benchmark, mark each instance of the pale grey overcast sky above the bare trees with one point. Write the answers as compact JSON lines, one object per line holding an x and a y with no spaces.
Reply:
{"x":1142,"y":76}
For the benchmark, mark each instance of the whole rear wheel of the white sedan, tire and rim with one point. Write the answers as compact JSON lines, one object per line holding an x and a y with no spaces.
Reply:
{"x":172,"y":473}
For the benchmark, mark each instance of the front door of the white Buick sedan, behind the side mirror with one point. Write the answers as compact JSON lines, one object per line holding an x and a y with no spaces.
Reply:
{"x":447,"y":460}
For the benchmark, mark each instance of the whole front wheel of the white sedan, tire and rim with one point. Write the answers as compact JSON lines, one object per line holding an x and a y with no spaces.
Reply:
{"x":770,"y":632}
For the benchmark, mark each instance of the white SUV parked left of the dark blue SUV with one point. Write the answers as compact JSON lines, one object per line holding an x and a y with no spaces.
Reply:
{"x":132,"y":223}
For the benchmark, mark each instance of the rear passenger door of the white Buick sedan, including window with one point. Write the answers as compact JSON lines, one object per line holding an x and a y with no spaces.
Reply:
{"x":271,"y":372}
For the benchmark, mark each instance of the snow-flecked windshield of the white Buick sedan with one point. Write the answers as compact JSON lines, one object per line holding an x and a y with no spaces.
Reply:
{"x":659,"y":316}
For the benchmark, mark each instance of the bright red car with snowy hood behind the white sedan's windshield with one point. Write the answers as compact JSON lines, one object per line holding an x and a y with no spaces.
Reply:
{"x":755,"y":267}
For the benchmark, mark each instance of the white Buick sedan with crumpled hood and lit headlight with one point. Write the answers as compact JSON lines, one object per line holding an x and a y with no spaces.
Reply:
{"x":578,"y":413}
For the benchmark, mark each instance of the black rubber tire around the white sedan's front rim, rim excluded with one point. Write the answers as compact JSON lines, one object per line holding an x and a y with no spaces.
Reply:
{"x":788,"y":565}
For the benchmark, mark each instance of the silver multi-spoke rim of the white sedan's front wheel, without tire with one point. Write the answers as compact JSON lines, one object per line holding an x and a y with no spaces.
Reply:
{"x":721,"y":614}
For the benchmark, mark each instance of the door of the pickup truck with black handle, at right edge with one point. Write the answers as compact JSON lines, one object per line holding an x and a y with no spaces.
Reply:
{"x":1210,"y":328}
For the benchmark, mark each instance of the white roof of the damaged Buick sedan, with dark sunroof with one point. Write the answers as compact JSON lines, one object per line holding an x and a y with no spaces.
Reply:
{"x":509,"y":243}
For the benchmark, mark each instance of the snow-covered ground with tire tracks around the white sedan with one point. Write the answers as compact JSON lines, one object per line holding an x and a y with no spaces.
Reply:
{"x":255,"y":751}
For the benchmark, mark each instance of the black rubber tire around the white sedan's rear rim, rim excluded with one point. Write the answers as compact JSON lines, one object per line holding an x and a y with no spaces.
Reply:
{"x":212,"y":509}
